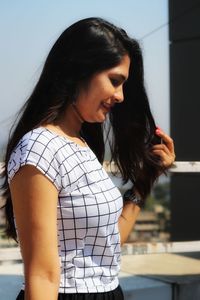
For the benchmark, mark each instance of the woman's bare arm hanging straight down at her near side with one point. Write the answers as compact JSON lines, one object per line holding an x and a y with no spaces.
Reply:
{"x":34,"y":199}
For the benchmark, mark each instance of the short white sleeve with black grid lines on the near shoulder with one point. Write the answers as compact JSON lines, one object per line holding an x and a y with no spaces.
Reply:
{"x":39,"y":151}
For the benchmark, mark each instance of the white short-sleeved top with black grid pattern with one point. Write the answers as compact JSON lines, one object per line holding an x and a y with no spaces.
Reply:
{"x":88,"y":208}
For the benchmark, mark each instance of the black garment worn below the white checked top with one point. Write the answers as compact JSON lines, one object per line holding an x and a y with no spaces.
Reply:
{"x":116,"y":294}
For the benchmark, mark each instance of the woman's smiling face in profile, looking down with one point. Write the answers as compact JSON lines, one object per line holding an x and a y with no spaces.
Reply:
{"x":103,"y":91}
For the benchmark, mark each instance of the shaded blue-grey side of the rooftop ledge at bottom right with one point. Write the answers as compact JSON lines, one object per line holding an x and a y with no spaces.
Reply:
{"x":170,"y":287}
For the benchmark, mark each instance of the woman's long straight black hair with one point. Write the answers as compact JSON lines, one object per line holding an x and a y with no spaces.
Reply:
{"x":89,"y":46}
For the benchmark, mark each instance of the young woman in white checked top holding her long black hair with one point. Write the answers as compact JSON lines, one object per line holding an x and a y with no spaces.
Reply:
{"x":69,"y":216}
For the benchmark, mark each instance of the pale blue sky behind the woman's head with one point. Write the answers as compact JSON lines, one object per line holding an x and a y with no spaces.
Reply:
{"x":28,"y":29}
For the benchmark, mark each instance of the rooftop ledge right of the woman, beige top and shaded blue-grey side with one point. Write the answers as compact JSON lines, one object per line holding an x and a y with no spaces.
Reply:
{"x":167,"y":271}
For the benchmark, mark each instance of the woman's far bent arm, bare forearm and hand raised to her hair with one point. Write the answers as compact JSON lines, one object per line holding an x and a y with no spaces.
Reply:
{"x":130,"y":211}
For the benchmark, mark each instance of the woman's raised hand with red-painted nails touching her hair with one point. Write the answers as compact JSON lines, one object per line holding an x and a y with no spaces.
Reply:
{"x":165,"y":150}
